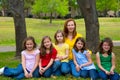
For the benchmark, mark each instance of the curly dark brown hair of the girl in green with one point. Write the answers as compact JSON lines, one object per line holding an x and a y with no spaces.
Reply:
{"x":109,"y":41}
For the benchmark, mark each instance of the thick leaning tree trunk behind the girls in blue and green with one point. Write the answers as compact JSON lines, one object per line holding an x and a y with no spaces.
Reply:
{"x":89,"y":12}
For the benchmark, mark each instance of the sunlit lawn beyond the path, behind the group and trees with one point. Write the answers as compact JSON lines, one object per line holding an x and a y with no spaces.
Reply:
{"x":109,"y":27}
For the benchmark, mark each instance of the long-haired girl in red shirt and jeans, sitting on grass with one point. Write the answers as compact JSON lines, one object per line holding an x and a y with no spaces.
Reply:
{"x":47,"y":56}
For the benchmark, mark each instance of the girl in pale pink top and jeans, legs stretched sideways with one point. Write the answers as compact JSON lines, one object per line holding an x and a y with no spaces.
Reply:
{"x":29,"y":65}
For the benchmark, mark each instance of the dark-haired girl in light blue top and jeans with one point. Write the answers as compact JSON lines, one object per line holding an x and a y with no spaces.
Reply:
{"x":83,"y":65}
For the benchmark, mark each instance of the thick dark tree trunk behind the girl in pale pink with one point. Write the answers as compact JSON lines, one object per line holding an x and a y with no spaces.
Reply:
{"x":17,"y":8}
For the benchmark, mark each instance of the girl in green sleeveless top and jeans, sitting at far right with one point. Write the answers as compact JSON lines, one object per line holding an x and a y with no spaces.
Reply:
{"x":106,"y":60}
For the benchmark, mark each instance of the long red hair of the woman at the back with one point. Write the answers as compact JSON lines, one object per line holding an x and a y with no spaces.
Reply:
{"x":66,"y":29}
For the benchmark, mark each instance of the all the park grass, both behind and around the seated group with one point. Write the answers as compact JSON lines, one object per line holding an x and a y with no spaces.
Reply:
{"x":109,"y":27}
